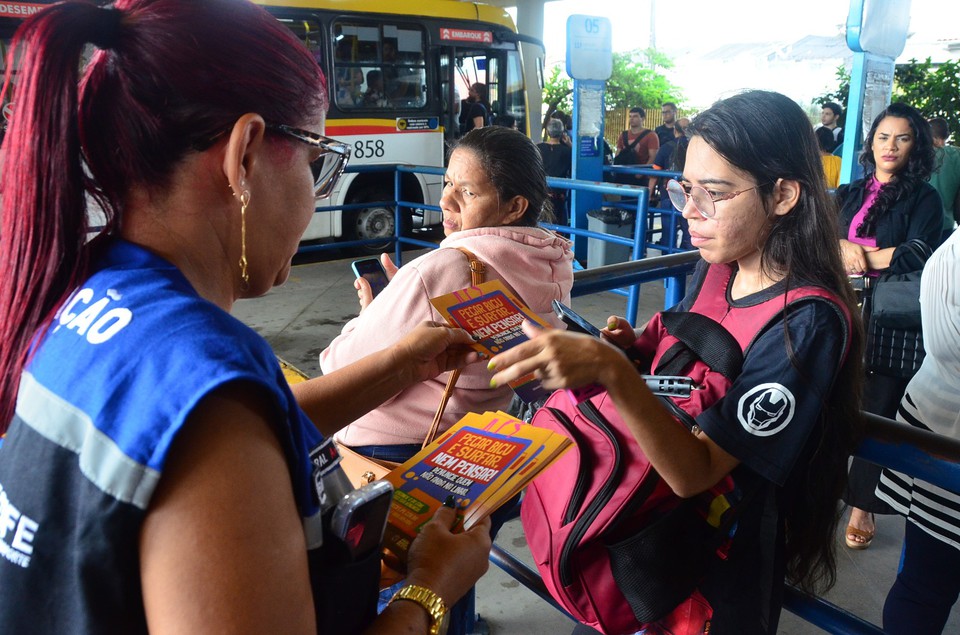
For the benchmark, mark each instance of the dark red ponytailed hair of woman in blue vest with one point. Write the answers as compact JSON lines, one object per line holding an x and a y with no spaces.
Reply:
{"x":171,"y":76}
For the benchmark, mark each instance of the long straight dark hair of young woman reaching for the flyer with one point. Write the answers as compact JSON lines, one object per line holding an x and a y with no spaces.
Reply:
{"x":768,"y":136}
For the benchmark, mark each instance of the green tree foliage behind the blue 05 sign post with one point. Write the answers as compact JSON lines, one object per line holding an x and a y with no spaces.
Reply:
{"x":636,"y":80}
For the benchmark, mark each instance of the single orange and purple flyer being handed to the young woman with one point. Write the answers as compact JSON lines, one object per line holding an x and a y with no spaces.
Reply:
{"x":493,"y":315}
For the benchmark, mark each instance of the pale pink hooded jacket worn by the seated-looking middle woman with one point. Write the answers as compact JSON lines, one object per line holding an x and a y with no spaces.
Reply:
{"x":536,"y":263}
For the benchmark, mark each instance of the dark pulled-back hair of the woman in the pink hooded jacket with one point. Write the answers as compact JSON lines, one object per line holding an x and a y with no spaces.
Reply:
{"x":500,"y":150}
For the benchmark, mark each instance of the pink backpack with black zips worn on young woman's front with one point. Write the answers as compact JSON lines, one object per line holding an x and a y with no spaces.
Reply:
{"x":614,"y":545}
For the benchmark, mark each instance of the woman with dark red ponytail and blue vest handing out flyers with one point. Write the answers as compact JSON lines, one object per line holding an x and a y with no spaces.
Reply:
{"x":157,"y":474}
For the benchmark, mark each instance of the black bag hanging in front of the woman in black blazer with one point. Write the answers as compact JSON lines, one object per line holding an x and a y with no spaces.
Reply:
{"x":892,"y":315}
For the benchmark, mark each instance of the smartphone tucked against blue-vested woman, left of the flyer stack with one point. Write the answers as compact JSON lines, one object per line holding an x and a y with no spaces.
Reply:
{"x":360,"y":518}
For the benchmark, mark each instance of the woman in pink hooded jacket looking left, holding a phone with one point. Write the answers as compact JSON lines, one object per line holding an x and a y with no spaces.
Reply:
{"x":494,"y":194}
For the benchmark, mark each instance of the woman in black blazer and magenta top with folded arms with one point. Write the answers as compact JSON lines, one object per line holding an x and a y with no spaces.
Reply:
{"x":880,"y":215}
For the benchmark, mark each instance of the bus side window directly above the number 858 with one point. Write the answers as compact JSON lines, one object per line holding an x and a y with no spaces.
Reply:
{"x":380,"y":66}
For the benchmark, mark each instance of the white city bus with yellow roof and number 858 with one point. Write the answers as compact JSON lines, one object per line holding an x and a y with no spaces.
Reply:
{"x":396,"y":73}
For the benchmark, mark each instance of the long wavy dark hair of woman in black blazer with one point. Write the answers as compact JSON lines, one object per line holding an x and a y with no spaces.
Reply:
{"x":917,"y":170}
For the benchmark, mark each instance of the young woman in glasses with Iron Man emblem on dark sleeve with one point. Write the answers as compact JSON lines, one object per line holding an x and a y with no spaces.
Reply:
{"x":753,"y":193}
